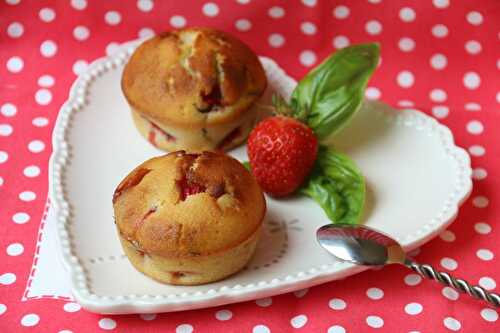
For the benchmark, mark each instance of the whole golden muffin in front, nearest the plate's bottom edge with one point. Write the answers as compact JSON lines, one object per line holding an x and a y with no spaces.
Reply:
{"x":189,"y":219}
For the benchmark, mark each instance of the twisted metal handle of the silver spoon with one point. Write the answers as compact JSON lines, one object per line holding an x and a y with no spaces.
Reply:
{"x":478,"y":292}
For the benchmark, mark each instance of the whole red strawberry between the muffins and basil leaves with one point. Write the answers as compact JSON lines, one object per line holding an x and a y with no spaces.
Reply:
{"x":282,"y":151}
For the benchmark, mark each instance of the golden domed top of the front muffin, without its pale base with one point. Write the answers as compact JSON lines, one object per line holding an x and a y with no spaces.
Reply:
{"x":185,"y":205}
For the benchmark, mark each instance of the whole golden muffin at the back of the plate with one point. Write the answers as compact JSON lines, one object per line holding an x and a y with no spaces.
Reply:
{"x":193,"y":89}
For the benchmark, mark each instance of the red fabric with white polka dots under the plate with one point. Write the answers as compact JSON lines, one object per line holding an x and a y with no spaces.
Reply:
{"x":440,"y":56}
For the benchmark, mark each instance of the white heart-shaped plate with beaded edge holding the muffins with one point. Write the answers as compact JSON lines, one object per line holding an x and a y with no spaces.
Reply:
{"x":416,"y":180}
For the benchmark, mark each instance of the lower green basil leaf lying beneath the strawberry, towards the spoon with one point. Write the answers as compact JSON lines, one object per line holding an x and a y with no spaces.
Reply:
{"x":337,"y":185}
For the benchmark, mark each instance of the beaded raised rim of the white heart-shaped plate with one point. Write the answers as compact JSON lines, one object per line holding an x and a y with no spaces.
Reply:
{"x":77,"y":100}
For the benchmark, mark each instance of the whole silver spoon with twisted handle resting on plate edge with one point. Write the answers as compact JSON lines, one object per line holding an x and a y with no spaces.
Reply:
{"x":365,"y":246}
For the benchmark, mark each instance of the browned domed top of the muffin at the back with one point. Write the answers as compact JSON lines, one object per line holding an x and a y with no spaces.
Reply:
{"x":192,"y":77}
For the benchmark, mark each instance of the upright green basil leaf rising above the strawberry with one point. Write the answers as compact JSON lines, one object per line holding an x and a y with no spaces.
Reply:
{"x":328,"y":96}
